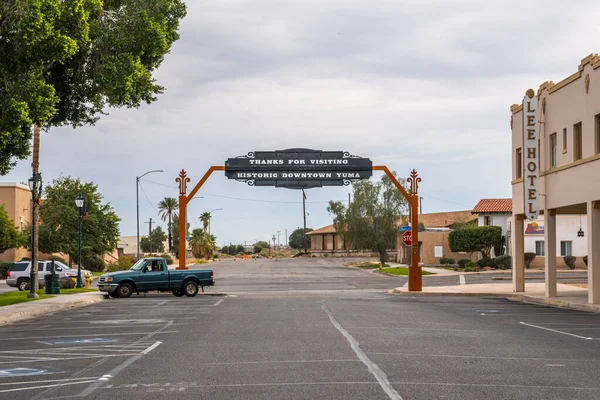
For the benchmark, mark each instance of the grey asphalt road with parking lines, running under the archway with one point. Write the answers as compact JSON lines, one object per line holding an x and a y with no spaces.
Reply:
{"x":281,"y":335}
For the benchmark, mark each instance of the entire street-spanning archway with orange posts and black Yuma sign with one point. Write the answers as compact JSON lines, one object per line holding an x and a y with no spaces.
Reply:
{"x":304,"y":169}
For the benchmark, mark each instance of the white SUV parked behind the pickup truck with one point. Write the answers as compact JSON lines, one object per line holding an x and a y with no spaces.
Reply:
{"x":19,"y":273}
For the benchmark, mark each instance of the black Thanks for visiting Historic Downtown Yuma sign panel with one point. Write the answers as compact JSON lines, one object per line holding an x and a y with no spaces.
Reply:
{"x":298,"y":168}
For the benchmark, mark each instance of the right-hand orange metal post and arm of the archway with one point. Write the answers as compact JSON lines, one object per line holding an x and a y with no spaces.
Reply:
{"x":415,"y":279}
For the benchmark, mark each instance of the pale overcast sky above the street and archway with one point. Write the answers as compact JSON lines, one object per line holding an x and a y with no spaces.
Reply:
{"x":410,"y":84}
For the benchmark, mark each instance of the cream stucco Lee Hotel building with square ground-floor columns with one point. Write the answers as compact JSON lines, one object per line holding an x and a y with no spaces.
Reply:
{"x":556,"y":168}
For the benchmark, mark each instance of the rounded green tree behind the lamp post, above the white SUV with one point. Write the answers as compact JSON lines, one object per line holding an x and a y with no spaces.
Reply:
{"x":59,"y":218}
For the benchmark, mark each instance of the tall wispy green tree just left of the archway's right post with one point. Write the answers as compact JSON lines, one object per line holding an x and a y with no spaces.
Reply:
{"x":371,"y":220}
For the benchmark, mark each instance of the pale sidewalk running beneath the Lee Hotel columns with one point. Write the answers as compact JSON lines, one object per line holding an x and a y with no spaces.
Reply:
{"x":568,"y":296}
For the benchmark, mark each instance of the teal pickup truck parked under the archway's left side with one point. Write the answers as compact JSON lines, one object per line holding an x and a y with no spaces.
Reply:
{"x":152,"y":274}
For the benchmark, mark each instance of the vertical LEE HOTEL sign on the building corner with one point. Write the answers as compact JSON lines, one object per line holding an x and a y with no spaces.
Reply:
{"x":531,"y":154}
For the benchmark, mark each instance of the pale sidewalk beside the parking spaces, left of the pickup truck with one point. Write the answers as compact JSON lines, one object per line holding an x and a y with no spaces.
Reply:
{"x":30,"y":309}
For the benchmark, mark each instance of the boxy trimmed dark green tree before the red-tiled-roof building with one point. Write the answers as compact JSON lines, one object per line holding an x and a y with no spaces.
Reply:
{"x":475,"y":238}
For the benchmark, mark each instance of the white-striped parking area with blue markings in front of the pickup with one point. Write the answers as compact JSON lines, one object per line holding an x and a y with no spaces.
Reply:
{"x":64,"y":353}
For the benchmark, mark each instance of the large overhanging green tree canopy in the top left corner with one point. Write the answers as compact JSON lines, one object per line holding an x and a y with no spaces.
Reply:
{"x":65,"y":61}
